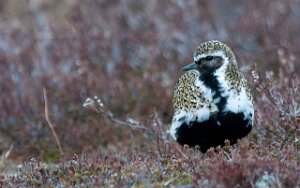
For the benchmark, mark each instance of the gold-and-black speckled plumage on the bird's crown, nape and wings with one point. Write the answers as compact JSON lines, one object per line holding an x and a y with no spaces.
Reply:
{"x":187,"y":96}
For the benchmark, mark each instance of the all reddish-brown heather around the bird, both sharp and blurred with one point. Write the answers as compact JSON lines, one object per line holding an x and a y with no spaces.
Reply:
{"x":106,"y":70}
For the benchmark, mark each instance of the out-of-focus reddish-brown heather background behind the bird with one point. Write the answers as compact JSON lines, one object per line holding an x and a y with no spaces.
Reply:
{"x":126,"y":52}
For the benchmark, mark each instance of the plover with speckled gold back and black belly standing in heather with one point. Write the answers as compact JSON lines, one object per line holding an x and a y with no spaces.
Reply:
{"x":212,"y":100}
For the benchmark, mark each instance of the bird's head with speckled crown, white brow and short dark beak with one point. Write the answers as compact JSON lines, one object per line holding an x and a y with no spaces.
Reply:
{"x":210,"y":56}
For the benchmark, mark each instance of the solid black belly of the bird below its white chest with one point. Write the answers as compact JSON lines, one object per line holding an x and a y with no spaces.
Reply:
{"x":209,"y":133}
